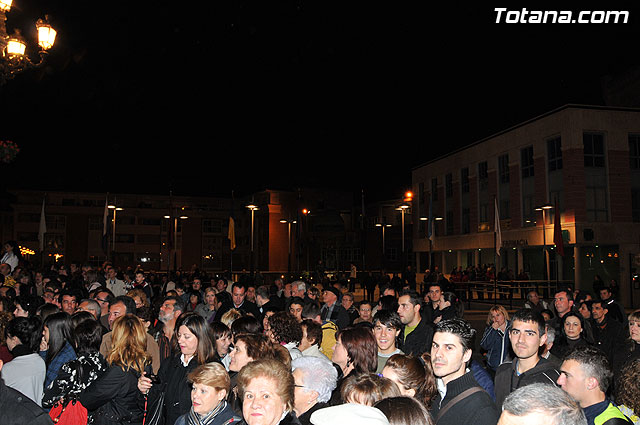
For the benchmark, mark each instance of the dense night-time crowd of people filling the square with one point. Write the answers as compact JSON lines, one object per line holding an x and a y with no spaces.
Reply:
{"x":196,"y":350}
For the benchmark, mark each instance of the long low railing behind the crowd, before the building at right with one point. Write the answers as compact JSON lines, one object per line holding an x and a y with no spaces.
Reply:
{"x":506,"y":292}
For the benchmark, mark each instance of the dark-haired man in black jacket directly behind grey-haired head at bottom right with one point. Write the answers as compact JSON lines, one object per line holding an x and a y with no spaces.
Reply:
{"x":527,"y":335}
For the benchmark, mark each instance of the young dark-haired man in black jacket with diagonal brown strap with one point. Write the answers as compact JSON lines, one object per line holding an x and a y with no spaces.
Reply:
{"x":460,"y":400}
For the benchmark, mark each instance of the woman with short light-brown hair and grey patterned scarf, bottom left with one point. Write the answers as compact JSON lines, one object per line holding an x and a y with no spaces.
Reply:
{"x":208,"y":397}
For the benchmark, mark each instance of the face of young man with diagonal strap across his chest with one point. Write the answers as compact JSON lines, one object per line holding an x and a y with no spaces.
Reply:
{"x":448,"y":356}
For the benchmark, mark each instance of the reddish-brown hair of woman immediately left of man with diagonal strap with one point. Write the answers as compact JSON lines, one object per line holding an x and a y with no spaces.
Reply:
{"x":415,"y":373}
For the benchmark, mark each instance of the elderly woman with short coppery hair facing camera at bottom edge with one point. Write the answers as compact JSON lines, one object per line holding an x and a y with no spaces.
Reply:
{"x":266,"y":388}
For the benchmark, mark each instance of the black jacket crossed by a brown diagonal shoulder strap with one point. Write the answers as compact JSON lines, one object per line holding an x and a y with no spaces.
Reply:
{"x":476,"y":409}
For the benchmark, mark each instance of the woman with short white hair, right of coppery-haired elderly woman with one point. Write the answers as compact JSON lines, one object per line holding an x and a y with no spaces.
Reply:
{"x":315,"y":379}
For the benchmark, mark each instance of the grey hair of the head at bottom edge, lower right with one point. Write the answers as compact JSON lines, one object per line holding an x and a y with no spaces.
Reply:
{"x":548,"y":399}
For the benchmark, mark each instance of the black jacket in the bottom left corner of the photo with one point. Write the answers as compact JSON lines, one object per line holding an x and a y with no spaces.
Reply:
{"x":18,"y":409}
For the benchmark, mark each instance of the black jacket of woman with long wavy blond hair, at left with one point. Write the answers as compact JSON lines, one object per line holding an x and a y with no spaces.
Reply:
{"x":112,"y":398}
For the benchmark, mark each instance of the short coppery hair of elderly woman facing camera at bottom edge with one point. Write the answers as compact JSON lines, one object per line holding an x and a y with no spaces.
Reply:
{"x":274,"y":371}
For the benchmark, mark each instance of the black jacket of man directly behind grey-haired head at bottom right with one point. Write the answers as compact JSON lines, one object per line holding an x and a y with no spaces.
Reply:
{"x":507,"y":380}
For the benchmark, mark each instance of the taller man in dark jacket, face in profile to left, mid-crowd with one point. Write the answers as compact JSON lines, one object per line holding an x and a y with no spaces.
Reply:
{"x":417,"y":334}
